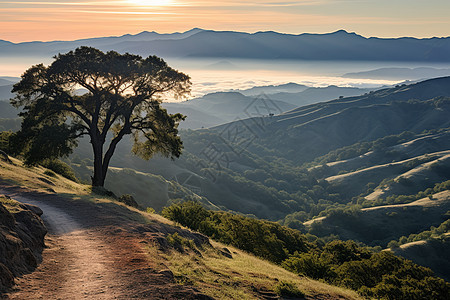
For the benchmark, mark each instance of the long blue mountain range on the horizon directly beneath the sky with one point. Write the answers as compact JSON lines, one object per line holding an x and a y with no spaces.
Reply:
{"x":197,"y":43}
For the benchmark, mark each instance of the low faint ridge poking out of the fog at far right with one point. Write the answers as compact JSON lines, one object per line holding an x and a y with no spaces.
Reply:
{"x":400,"y":73}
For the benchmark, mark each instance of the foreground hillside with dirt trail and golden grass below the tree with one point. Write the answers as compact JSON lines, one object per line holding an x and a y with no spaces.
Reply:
{"x":133,"y":253}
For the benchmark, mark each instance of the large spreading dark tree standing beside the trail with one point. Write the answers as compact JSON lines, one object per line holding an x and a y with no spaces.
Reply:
{"x":89,"y":92}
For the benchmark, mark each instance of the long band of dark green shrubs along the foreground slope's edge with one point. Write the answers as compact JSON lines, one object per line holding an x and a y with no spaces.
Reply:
{"x":377,"y":275}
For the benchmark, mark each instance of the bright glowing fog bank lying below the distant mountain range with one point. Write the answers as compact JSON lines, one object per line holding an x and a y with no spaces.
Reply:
{"x":213,"y":75}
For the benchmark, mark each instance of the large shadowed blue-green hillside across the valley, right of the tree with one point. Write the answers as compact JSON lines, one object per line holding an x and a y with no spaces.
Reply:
{"x":255,"y":166}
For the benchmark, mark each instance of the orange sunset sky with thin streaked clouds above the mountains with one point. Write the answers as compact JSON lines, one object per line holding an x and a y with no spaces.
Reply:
{"x":22,"y":21}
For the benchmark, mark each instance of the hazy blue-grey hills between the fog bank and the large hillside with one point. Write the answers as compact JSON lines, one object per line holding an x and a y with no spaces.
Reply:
{"x":223,"y":107}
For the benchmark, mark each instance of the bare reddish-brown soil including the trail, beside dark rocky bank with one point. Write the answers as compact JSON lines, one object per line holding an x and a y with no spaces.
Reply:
{"x":91,"y":254}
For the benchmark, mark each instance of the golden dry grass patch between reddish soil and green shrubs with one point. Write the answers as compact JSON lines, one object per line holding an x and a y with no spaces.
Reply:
{"x":241,"y":276}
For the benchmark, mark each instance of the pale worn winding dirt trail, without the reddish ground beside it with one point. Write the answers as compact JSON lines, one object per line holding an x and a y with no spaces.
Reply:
{"x":83,"y":265}
